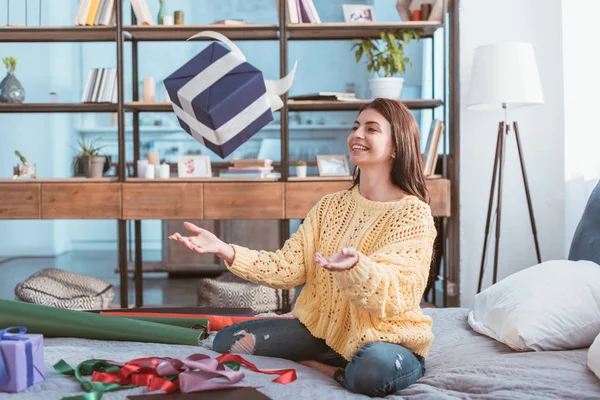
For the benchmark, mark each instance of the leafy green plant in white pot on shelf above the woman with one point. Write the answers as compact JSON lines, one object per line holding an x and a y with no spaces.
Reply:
{"x":386,"y":58}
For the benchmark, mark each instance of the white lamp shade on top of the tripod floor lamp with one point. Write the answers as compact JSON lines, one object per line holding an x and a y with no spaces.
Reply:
{"x":504,"y":74}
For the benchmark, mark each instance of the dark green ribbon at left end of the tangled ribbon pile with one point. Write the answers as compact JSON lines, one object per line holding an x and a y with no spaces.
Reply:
{"x":95,"y":389}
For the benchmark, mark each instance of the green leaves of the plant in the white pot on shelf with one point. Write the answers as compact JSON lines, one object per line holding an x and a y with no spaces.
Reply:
{"x":386,"y":55}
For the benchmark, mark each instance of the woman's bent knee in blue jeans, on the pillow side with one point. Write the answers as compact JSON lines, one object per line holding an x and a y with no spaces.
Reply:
{"x":379,"y":369}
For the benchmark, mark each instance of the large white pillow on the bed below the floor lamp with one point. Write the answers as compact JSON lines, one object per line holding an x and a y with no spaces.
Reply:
{"x":554,"y":305}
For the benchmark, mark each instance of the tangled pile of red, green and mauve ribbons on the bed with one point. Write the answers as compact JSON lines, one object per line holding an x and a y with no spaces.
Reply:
{"x":192,"y":374}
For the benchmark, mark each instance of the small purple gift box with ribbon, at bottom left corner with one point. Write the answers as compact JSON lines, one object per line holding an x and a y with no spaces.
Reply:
{"x":21,"y":359}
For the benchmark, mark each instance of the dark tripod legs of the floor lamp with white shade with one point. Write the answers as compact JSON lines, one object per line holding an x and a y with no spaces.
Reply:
{"x":503,"y":129}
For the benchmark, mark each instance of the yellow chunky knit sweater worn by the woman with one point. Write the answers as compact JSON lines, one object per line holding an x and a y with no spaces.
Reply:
{"x":375,"y":301}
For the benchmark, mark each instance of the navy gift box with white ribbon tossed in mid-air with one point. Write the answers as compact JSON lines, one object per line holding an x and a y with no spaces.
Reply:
{"x":220,"y":99}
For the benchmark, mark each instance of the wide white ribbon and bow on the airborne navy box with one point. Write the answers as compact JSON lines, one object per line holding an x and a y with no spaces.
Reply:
{"x":214,"y":72}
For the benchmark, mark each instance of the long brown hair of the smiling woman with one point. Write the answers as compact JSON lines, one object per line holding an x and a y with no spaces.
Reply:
{"x":407,"y":168}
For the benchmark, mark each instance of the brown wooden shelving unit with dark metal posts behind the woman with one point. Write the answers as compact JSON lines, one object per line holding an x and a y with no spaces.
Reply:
{"x":125,"y":198}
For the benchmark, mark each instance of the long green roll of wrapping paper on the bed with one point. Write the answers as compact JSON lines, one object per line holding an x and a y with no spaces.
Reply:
{"x":57,"y":322}
